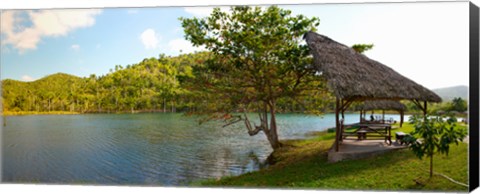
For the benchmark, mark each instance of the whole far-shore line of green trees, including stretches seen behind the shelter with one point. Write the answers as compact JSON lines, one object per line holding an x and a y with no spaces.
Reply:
{"x":163,"y":84}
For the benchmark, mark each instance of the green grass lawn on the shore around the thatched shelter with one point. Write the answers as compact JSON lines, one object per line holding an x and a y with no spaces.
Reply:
{"x":303,"y":164}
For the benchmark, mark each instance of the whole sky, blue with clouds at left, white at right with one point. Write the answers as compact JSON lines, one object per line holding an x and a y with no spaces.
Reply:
{"x":426,"y":42}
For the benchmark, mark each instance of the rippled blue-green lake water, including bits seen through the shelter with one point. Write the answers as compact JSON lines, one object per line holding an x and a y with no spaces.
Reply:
{"x":139,"y":149}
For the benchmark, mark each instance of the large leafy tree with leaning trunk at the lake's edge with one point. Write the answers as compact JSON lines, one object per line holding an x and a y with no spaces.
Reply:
{"x":257,"y":60}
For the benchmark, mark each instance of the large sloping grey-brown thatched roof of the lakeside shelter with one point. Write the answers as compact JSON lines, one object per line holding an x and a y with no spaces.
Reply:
{"x":352,"y":75}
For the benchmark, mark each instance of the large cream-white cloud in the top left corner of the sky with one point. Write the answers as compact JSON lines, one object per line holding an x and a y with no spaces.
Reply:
{"x":45,"y":23}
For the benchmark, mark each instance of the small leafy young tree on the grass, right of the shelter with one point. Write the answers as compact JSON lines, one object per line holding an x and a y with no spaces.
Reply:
{"x":433,"y":134}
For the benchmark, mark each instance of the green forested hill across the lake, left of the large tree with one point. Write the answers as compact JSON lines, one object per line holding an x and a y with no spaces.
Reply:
{"x":154,"y":84}
